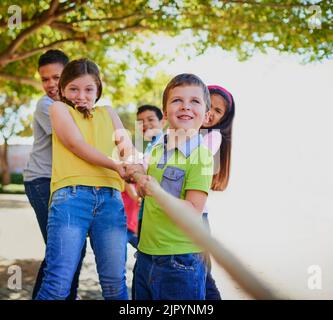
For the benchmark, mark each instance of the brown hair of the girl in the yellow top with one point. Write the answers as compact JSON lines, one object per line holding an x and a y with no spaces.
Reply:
{"x":74,"y":70}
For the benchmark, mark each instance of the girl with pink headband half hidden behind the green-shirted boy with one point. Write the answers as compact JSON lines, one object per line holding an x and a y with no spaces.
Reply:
{"x":219,"y":125}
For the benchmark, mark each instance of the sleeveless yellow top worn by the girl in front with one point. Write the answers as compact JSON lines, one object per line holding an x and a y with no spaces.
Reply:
{"x":69,"y":170}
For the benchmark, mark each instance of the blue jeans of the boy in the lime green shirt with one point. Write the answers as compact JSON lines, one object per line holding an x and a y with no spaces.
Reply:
{"x":169,"y":277}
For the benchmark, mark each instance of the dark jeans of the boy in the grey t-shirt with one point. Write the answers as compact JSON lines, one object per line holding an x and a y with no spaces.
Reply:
{"x":38,"y":193}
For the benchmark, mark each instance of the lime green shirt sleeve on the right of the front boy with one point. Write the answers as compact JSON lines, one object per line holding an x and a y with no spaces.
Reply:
{"x":200,"y":172}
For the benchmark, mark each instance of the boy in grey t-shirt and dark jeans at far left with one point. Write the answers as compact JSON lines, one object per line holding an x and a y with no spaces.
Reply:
{"x":37,"y":174}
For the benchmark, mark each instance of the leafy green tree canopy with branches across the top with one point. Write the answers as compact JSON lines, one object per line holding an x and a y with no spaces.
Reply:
{"x":112,"y":32}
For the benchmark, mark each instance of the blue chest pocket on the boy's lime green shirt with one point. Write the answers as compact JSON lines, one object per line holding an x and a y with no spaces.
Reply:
{"x":172,"y":181}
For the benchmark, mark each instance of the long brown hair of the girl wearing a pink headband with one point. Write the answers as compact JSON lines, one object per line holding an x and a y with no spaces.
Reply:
{"x":223,"y":156}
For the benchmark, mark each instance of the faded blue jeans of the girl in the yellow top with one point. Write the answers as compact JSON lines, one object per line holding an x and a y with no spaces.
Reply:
{"x":75,"y":212}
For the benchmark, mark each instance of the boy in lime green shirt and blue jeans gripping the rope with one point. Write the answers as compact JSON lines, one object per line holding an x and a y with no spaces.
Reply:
{"x":169,"y":265}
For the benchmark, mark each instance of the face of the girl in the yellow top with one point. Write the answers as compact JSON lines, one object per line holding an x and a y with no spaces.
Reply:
{"x":82,"y":91}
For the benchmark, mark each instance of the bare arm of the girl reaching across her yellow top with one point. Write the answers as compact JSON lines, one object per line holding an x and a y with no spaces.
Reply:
{"x":71,"y":137}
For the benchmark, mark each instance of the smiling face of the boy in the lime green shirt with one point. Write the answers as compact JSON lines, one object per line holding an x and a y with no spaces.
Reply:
{"x":185,"y":107}
